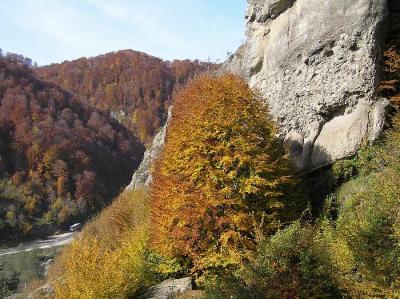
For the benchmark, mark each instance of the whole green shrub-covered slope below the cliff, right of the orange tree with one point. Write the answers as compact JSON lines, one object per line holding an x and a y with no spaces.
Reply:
{"x":351,"y":250}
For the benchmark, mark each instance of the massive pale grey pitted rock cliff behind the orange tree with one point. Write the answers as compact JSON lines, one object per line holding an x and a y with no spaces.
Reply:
{"x":318,"y":65}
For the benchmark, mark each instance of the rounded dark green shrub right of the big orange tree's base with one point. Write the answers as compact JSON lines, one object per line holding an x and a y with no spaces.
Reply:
{"x":293,"y":264}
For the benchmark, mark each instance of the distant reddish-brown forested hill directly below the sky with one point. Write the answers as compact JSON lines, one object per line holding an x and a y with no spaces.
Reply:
{"x":134,"y":87}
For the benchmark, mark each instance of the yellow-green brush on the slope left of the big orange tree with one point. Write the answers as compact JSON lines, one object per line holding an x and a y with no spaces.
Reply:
{"x":108,"y":259}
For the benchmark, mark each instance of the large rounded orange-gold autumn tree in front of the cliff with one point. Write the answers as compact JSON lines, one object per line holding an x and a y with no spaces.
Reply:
{"x":220,"y":178}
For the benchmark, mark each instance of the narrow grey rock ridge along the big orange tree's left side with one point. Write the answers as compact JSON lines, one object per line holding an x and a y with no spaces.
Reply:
{"x":142,"y":176}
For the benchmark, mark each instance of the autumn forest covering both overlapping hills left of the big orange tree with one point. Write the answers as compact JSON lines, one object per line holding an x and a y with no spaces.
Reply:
{"x":66,"y":150}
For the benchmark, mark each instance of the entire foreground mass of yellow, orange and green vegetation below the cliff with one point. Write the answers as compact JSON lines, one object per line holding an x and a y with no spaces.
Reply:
{"x":223,"y":209}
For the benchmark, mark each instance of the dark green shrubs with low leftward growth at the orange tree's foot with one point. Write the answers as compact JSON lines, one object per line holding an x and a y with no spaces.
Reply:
{"x":291,"y":264}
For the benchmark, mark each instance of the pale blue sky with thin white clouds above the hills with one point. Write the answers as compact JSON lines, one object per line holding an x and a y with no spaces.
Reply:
{"x":55,"y":30}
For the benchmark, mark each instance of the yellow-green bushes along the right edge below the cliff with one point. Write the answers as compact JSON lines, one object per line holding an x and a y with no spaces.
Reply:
{"x":364,"y":240}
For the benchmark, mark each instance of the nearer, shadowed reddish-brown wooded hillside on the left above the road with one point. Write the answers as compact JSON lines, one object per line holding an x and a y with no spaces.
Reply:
{"x":59,"y":158}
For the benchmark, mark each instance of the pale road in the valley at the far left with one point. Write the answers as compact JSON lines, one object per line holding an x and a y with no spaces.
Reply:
{"x":52,"y":241}
